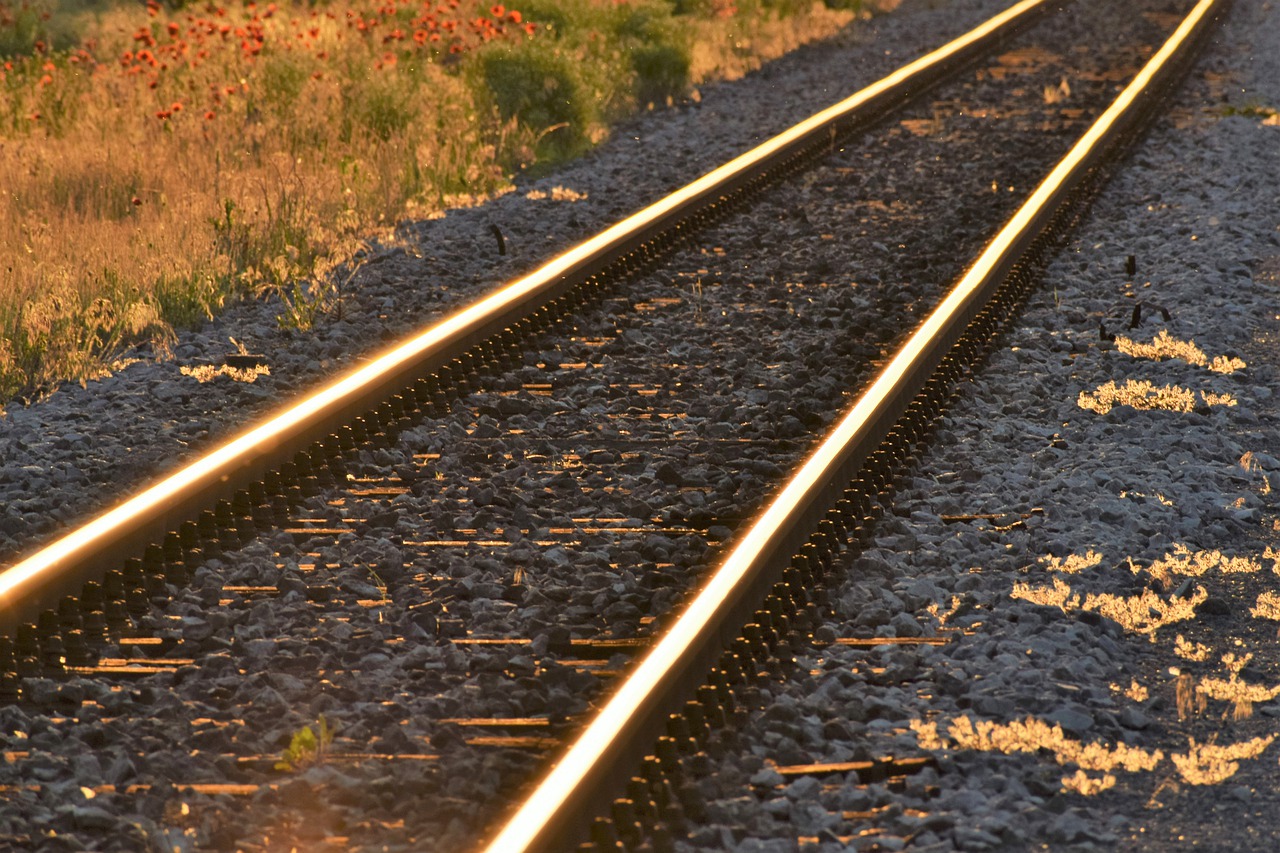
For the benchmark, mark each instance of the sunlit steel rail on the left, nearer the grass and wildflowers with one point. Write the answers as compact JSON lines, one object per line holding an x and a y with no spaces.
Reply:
{"x":61,"y":569}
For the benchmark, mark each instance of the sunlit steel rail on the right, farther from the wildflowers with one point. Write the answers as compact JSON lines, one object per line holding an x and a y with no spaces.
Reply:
{"x":586,"y":779}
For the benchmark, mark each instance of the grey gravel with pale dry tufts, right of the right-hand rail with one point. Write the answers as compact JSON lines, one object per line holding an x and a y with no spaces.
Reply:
{"x":1110,"y":574}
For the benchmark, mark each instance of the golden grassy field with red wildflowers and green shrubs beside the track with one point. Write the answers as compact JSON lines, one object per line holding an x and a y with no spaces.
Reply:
{"x":159,"y":161}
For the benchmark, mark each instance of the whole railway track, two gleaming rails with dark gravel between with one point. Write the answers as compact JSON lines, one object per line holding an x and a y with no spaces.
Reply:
{"x":588,"y":495}
